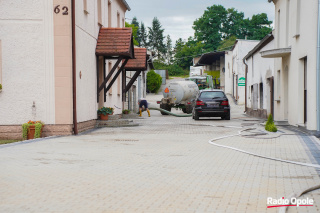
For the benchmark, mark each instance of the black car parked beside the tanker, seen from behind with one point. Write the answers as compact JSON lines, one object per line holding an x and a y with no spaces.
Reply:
{"x":211,"y":103}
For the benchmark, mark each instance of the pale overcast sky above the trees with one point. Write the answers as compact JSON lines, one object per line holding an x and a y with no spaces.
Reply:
{"x":177,"y":16}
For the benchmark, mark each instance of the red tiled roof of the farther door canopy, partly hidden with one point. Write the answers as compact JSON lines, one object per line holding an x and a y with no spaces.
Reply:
{"x":139,"y":62}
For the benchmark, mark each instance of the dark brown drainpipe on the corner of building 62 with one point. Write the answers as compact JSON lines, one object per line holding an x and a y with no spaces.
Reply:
{"x":74,"y":79}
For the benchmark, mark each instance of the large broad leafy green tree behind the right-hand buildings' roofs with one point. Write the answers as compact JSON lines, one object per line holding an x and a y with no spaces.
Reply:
{"x":218,"y":23}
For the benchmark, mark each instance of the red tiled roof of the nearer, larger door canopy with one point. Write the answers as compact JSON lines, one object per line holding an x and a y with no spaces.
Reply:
{"x":115,"y":42}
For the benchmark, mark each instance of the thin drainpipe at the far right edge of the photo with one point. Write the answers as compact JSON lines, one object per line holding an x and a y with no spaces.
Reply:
{"x":318,"y":70}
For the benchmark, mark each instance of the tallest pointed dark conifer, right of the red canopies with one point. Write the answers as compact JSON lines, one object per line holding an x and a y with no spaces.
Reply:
{"x":156,"y":38}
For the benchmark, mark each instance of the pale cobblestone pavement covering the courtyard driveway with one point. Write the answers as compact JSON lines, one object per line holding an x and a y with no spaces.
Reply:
{"x":164,"y":165}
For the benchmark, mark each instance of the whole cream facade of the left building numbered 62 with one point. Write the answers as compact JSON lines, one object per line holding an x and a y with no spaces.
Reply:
{"x":43,"y":76}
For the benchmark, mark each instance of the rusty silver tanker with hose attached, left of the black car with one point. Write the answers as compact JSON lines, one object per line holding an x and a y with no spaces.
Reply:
{"x":179,"y":95}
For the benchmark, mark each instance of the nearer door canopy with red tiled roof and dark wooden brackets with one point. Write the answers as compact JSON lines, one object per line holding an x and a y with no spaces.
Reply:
{"x":113,"y":44}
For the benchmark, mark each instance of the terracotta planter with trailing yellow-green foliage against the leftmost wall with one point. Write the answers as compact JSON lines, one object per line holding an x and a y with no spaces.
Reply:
{"x":32,"y":129}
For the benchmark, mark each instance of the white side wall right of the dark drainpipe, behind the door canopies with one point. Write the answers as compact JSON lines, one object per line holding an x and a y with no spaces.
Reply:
{"x":87,"y":31}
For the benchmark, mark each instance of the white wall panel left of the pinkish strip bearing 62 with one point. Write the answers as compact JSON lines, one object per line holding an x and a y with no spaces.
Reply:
{"x":26,"y":34}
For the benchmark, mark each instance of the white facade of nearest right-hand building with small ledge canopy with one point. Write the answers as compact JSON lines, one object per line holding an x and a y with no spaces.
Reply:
{"x":295,"y":53}
